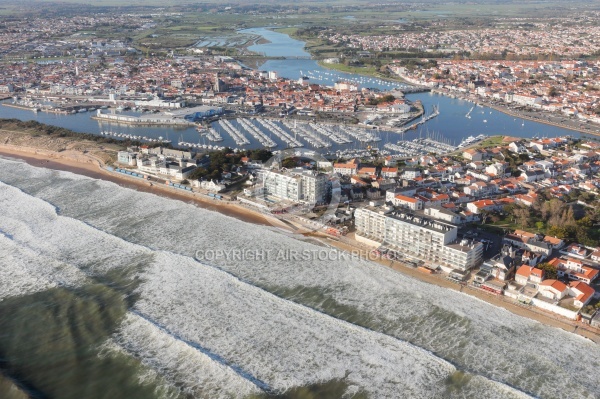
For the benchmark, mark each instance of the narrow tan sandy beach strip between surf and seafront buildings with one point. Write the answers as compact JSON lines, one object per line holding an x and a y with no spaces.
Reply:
{"x":84,"y":164}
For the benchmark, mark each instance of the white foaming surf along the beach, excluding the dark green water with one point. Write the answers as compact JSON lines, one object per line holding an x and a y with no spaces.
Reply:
{"x":251,"y":326}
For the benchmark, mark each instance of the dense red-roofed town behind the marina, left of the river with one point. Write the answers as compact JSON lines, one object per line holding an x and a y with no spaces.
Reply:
{"x":181,"y":77}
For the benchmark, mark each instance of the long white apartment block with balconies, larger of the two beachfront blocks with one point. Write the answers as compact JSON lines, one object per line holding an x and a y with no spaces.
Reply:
{"x":420,"y":237}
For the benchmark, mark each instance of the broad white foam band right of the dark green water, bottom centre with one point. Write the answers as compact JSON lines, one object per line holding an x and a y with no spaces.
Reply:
{"x":277,"y":341}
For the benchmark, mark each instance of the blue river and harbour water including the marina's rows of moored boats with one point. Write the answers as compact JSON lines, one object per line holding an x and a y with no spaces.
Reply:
{"x":279,"y":134}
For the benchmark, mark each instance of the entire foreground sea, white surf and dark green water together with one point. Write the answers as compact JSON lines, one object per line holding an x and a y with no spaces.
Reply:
{"x":107,"y":292}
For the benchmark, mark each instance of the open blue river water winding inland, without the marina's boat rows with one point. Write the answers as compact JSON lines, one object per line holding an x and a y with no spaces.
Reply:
{"x":451,"y":124}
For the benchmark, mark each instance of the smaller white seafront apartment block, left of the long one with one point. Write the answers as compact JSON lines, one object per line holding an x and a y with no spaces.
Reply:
{"x":295,"y":185}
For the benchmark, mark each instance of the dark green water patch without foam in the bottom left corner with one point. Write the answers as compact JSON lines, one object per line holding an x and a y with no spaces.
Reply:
{"x":50,"y":342}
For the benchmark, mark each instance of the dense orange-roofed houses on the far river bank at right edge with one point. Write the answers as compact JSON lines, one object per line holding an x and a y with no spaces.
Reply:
{"x":569,"y":88}
